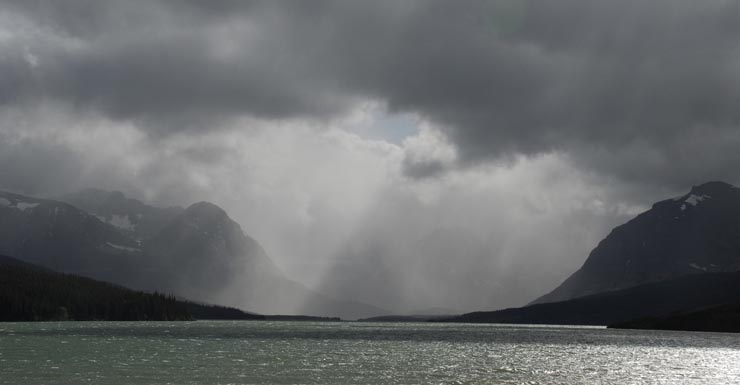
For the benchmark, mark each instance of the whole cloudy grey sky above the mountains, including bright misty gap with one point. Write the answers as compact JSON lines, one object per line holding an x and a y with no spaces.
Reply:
{"x":410,"y":154}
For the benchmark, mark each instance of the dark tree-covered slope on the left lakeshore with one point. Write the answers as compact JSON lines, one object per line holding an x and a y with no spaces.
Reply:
{"x":33,"y":293}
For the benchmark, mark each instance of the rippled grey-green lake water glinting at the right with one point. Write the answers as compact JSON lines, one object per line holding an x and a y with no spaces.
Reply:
{"x":110,"y":353}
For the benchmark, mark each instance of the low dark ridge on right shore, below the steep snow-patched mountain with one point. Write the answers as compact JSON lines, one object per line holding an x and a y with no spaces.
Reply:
{"x":656,"y":299}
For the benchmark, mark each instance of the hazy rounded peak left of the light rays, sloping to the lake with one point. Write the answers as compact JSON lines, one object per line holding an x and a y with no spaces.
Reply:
{"x":214,"y":255}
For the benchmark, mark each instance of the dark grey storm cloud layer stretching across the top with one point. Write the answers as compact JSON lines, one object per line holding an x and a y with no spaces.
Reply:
{"x":595,"y":79}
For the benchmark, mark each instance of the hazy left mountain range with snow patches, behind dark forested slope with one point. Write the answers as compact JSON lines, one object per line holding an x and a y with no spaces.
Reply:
{"x":198,"y":252}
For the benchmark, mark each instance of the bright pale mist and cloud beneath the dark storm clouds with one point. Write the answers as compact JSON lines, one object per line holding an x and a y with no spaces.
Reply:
{"x":338,"y":213}
